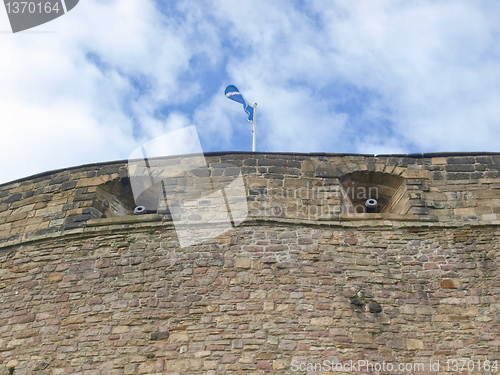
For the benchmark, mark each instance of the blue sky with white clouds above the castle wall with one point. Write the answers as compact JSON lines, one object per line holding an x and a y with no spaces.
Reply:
{"x":337,"y":76}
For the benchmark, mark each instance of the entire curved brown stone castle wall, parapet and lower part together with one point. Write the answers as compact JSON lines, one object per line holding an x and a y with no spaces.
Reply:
{"x":88,"y":288}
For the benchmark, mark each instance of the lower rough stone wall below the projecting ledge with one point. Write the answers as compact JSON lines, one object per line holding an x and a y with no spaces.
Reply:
{"x":132,"y":302}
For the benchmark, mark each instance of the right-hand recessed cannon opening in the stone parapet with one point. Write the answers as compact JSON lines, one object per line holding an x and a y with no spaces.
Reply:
{"x":388,"y":190}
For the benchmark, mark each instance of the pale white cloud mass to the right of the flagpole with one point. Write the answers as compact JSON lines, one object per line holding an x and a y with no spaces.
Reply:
{"x":427,"y":65}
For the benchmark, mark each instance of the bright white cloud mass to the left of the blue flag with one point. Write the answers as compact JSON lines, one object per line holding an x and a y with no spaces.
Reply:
{"x":59,"y":108}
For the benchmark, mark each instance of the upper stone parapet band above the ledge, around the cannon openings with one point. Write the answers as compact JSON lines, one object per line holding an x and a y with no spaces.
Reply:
{"x":448,"y":188}
